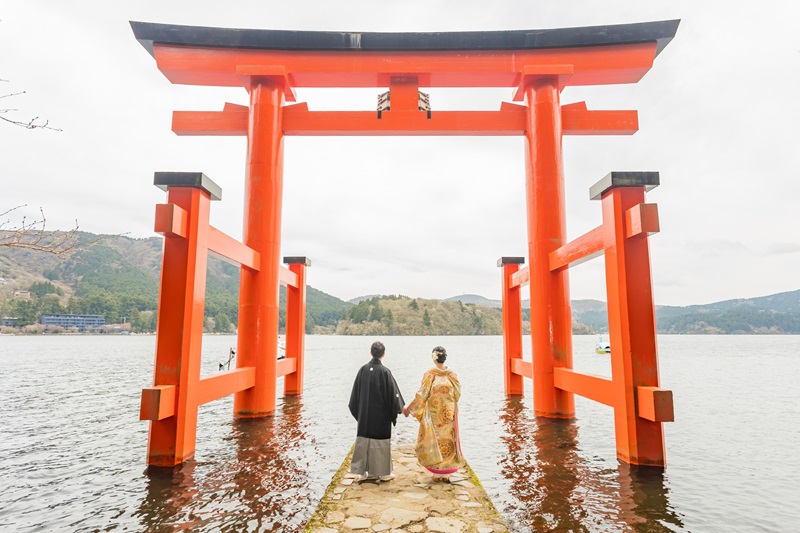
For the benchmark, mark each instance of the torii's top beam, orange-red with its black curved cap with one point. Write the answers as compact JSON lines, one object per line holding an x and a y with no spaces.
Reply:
{"x":579,"y":56}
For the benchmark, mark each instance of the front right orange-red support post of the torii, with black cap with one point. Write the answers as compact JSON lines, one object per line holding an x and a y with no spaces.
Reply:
{"x":631,"y":320}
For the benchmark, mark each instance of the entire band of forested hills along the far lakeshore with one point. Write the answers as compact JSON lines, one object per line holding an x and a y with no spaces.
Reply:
{"x":118,"y":277}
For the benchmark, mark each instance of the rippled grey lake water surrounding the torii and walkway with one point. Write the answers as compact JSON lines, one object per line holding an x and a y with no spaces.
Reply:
{"x":72,"y":452}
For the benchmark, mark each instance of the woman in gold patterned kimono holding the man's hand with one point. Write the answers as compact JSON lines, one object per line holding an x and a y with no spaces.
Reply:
{"x":436,"y":407}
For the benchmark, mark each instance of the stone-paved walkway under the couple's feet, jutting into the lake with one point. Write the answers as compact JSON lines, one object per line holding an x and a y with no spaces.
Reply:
{"x":410,"y":503}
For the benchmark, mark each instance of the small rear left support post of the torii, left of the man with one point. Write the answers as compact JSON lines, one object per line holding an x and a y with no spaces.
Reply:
{"x":296,"y":324}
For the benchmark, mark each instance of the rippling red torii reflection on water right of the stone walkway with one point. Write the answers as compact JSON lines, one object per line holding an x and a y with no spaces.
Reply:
{"x":556,"y":489}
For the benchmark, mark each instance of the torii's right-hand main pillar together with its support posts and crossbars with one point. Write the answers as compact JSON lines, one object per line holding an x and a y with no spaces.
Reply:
{"x":640,"y":406}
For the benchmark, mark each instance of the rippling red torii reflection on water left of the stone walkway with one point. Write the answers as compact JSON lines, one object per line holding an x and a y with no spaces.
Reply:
{"x":266,"y":488}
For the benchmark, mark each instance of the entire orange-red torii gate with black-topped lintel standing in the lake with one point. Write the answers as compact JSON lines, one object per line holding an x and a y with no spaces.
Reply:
{"x":537,"y":65}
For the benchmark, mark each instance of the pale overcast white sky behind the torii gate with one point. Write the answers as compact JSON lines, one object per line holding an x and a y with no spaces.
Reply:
{"x":426,"y":217}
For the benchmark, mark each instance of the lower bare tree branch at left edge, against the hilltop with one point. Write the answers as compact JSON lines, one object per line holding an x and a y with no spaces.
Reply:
{"x":35,"y":236}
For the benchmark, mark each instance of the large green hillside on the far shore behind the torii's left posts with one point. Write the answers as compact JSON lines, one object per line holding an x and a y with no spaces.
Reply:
{"x":118,"y":277}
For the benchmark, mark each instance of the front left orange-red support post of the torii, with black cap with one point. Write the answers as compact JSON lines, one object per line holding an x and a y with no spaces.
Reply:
{"x":179,"y":331}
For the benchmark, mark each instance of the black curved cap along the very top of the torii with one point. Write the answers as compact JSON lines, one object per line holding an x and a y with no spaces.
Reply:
{"x":148,"y":34}
